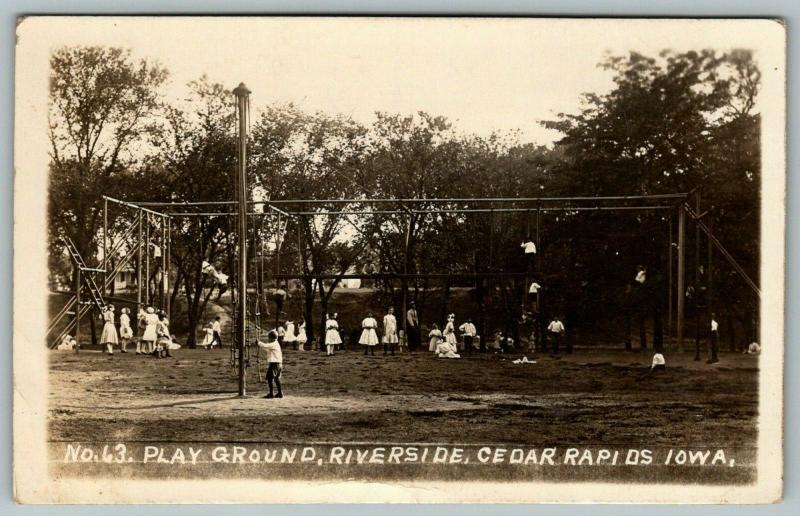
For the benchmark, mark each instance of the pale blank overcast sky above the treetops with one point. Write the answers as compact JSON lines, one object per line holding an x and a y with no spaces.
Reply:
{"x":483,"y":74}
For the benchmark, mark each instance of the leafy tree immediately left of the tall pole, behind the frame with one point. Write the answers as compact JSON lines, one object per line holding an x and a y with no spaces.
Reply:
{"x":195,"y":159}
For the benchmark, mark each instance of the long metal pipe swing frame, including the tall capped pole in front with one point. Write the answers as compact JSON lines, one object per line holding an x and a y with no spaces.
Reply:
{"x":674,"y":204}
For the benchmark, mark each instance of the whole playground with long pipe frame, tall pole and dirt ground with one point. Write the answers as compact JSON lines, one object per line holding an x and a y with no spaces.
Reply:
{"x":604,"y":390}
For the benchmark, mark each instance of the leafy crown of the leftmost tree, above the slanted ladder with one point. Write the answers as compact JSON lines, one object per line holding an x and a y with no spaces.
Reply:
{"x":101,"y":101}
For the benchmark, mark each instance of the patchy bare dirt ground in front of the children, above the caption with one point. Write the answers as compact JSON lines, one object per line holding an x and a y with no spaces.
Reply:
{"x":590,"y":398}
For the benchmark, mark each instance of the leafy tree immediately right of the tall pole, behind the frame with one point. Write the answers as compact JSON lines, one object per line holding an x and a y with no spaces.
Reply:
{"x":307,"y":156}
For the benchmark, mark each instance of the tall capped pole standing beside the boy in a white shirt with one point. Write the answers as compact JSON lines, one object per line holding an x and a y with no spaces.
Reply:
{"x":242,"y":97}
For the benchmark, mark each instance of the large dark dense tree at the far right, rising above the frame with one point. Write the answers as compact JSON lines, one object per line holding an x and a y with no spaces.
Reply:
{"x":669,"y":124}
